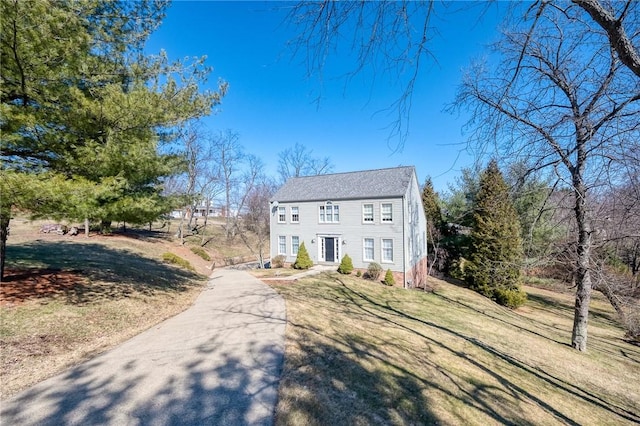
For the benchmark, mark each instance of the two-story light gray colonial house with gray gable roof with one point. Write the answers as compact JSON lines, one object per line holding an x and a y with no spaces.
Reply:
{"x":373,"y":216}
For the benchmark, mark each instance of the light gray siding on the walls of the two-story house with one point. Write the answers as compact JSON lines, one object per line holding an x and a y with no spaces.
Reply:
{"x":407,"y":230}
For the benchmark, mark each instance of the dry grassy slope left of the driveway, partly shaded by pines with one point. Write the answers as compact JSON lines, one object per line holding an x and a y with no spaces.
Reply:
{"x":74,"y":297}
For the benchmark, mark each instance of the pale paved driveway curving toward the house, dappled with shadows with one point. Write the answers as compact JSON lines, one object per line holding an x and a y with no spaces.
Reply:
{"x":217,"y":363}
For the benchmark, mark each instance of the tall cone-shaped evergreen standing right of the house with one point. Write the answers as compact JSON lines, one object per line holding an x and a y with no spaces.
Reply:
{"x":496,"y":248}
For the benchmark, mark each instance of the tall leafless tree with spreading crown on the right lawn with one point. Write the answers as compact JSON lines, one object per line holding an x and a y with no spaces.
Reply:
{"x":561,"y":100}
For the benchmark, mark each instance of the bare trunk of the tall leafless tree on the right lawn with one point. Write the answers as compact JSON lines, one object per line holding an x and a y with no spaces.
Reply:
{"x":583,"y":270}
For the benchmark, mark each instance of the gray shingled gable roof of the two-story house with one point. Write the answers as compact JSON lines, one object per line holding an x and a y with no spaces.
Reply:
{"x":381,"y":183}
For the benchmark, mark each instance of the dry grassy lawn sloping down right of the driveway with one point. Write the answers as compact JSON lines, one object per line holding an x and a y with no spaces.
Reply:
{"x":362,"y":353}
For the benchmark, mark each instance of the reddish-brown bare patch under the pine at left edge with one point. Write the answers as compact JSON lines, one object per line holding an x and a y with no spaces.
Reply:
{"x":21,"y":285}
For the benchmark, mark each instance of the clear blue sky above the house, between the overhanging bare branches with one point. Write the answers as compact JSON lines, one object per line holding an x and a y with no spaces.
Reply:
{"x":270,"y":102}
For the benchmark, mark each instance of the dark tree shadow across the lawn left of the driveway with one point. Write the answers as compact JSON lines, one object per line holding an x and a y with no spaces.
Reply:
{"x":86,"y":273}
